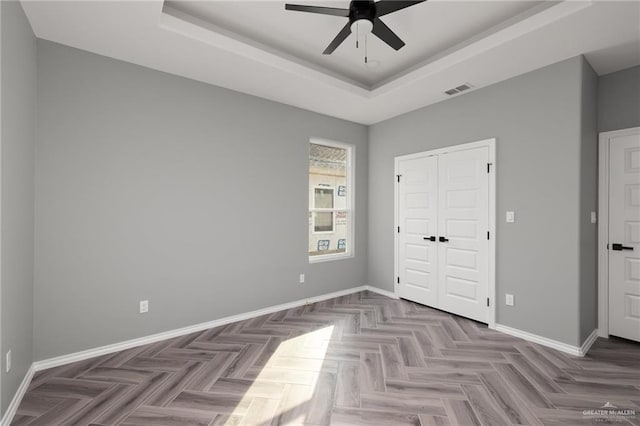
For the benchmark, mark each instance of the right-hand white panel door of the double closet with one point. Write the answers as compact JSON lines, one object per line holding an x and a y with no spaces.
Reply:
{"x":463,"y":220}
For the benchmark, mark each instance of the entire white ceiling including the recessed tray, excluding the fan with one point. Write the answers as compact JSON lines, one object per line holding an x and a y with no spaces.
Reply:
{"x":259,"y":48}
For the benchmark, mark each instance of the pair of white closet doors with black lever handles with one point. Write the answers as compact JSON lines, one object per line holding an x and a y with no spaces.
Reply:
{"x":442,"y":245}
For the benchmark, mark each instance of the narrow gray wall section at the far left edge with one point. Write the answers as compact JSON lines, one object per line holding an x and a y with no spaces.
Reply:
{"x":17,"y":141}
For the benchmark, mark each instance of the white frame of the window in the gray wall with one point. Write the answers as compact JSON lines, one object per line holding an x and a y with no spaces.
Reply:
{"x":349,"y":204}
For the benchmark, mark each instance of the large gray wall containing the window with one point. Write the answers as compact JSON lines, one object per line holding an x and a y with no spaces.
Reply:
{"x":152,"y":186}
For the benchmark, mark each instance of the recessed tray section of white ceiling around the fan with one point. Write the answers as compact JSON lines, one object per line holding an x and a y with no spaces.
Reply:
{"x":428,"y":29}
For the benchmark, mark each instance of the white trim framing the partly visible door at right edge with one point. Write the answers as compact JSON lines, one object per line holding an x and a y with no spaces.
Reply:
{"x":603,"y":225}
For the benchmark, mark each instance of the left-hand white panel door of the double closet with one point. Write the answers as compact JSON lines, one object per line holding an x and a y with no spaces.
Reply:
{"x":417,"y":219}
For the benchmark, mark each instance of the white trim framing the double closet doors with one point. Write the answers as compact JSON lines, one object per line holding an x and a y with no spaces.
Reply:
{"x":491,"y":144}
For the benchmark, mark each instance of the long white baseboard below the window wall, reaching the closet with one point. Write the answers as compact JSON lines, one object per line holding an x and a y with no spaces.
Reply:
{"x":115,"y":347}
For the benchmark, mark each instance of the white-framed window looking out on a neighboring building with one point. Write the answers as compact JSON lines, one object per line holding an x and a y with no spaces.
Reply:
{"x":330,"y":200}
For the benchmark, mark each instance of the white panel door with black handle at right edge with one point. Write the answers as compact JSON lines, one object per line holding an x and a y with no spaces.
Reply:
{"x":624,"y":236}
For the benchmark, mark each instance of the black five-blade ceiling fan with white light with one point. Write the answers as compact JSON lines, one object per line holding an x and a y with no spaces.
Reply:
{"x":364,"y":17}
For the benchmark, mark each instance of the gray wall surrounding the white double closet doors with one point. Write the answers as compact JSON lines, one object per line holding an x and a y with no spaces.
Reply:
{"x":536,"y":119}
